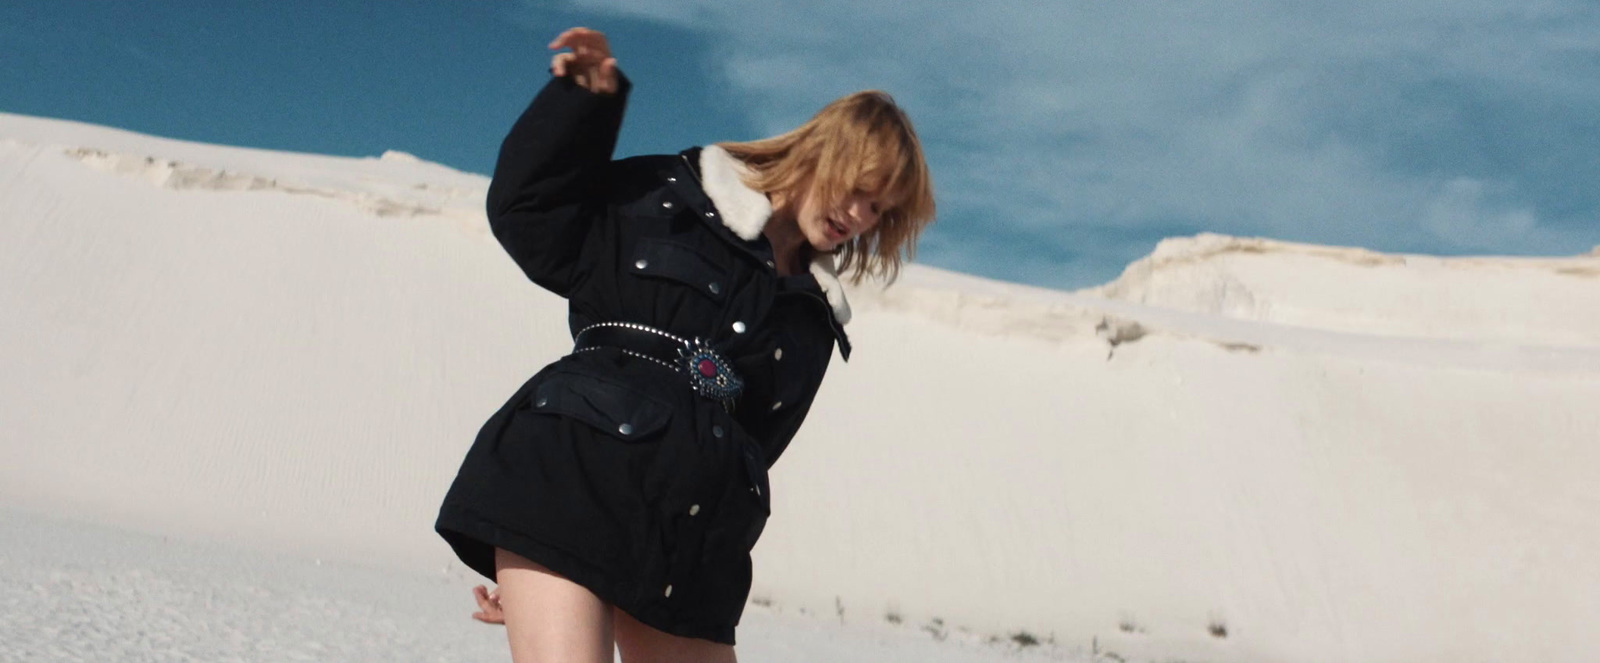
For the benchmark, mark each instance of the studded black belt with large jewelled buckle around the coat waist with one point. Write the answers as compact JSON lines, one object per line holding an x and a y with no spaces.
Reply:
{"x":711,"y":376}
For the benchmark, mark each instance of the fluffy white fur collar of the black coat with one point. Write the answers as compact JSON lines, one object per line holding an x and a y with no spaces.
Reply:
{"x":746,"y":211}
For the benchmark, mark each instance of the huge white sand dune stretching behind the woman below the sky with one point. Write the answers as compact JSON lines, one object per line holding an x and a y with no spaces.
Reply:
{"x":1241,"y":451}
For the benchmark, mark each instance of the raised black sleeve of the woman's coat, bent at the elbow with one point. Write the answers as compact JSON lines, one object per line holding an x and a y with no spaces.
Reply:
{"x":548,"y":183}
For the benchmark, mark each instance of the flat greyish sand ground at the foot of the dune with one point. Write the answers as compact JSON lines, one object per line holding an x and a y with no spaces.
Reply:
{"x":74,"y":593}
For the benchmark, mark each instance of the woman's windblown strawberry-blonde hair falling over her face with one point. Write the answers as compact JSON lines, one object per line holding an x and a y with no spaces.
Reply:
{"x":858,"y":143}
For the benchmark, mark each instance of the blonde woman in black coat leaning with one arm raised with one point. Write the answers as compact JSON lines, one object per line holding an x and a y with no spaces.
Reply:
{"x":618,"y":494}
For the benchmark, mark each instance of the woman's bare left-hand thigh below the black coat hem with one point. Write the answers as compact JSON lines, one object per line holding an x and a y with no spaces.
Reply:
{"x":551,"y":619}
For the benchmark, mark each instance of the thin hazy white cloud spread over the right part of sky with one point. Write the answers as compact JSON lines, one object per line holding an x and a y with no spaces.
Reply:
{"x":1343,"y":123}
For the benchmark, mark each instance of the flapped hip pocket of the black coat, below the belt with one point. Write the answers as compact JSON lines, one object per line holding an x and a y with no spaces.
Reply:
{"x":602,"y":403}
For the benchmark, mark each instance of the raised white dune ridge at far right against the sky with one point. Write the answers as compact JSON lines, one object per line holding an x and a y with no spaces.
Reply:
{"x":1494,"y":300}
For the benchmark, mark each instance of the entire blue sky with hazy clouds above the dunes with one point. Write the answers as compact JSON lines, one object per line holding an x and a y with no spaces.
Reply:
{"x":1066,"y":137}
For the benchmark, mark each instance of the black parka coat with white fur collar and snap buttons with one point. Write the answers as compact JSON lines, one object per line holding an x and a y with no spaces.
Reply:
{"x":657,"y":516}
